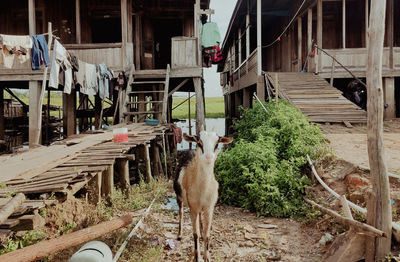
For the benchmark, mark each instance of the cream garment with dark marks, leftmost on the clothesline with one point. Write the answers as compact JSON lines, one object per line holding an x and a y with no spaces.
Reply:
{"x":12,"y":46}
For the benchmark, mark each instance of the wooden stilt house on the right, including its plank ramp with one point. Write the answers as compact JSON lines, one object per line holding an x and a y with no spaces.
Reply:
{"x":306,"y":50}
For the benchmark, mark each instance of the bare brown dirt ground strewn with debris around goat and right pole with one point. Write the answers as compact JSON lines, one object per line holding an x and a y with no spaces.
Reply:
{"x":237,"y":235}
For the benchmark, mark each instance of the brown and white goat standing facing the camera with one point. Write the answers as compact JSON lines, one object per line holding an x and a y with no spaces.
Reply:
{"x":195,"y":186}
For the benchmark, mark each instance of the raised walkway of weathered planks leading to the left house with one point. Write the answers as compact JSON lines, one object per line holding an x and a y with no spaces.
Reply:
{"x":75,"y":170}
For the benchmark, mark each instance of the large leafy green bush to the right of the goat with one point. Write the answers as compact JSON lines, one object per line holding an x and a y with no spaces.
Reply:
{"x":262,"y":170}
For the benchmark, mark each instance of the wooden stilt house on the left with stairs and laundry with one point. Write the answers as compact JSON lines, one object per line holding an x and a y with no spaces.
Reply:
{"x":155,"y":42}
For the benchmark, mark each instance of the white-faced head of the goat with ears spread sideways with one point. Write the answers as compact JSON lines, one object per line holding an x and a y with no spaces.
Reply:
{"x":207,"y":144}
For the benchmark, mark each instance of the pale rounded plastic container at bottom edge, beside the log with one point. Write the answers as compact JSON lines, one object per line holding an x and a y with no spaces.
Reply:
{"x":94,"y":251}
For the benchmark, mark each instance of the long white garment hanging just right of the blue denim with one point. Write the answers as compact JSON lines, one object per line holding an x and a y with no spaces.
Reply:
{"x":61,"y":60}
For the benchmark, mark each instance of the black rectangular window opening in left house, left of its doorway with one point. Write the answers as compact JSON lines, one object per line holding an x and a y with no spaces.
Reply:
{"x":106,"y":30}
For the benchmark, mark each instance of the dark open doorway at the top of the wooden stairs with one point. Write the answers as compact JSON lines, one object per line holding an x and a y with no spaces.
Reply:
{"x":164,"y":30}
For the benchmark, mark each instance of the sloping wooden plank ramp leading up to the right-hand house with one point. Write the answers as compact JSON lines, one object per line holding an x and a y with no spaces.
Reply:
{"x":316,"y":98}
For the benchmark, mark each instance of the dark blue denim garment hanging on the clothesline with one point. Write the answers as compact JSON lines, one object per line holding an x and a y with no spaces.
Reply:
{"x":40,"y":52}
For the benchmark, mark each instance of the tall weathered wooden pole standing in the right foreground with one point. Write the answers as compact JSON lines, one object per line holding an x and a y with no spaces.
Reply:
{"x":379,"y":212}
